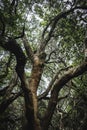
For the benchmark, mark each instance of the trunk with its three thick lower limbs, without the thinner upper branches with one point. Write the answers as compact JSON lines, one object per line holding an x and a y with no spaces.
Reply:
{"x":30,"y":87}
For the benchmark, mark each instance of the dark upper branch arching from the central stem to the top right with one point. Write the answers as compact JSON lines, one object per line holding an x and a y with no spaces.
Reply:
{"x":53,"y":23}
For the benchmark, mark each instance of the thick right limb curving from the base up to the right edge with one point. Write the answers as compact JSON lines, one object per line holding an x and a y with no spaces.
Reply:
{"x":72,"y":73}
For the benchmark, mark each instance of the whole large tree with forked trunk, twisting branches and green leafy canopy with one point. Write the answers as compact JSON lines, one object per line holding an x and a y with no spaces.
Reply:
{"x":46,"y":39}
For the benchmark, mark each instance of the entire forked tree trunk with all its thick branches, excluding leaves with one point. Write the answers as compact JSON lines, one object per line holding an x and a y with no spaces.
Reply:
{"x":38,"y":61}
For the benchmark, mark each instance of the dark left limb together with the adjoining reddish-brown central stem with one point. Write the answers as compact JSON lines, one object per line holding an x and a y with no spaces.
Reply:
{"x":29,"y":89}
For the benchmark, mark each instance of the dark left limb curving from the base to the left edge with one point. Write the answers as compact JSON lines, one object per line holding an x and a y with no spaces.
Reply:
{"x":13,"y":47}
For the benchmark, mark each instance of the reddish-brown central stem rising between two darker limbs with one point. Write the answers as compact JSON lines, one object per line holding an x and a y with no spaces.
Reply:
{"x":33,"y":84}
